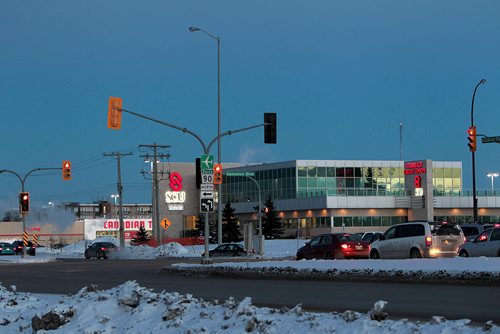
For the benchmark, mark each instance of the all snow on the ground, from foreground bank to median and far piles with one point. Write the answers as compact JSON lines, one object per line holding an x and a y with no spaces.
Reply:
{"x":129,"y":308}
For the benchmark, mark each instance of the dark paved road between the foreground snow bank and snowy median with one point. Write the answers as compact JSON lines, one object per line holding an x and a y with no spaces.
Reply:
{"x":414,"y":301}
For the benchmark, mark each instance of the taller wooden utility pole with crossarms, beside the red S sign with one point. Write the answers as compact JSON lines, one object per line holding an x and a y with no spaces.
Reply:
{"x":157,"y":233}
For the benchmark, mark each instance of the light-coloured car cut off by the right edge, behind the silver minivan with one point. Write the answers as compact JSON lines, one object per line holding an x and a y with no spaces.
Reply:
{"x":485,"y":244}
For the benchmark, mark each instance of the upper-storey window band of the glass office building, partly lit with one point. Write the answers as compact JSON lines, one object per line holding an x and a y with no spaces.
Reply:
{"x":332,"y":181}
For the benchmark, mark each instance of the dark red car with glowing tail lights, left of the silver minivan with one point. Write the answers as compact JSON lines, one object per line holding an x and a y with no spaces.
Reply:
{"x":334,"y":246}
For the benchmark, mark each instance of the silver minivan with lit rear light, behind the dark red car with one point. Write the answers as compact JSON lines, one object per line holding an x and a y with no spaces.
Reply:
{"x":418,"y":239}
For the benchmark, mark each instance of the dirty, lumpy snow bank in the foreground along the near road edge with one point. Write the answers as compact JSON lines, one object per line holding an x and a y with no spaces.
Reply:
{"x":130,"y":308}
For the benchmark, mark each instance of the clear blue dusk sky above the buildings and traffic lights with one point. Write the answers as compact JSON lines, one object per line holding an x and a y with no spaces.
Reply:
{"x":341,"y":76}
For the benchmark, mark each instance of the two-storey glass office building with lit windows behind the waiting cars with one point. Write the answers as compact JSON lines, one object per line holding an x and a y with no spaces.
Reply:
{"x":325,"y":195}
